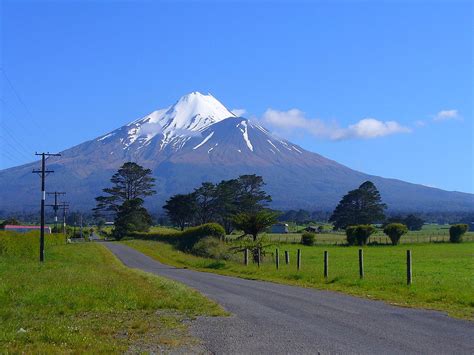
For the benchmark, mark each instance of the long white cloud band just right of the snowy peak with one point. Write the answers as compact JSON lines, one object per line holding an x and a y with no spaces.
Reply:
{"x":295,"y":120}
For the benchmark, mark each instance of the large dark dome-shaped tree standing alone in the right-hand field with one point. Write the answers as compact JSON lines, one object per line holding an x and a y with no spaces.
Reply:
{"x":360,"y":206}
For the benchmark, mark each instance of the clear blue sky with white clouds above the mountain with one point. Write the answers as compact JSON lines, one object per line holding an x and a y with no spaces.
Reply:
{"x":382,"y":87}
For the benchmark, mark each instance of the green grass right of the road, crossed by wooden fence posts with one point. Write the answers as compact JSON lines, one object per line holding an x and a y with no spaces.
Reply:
{"x":442,"y":273}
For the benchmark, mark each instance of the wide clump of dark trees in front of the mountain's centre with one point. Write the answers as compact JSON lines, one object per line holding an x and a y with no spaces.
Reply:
{"x":220,"y":203}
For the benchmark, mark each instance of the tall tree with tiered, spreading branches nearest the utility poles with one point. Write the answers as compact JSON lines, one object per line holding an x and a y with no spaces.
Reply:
{"x":130,"y":182}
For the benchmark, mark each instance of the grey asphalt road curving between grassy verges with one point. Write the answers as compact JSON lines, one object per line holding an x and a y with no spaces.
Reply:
{"x":280,"y":319}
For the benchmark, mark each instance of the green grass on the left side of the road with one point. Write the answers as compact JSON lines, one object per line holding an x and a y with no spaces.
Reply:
{"x":83,"y":300}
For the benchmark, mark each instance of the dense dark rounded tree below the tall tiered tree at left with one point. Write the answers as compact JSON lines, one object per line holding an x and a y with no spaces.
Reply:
{"x":131,"y":217}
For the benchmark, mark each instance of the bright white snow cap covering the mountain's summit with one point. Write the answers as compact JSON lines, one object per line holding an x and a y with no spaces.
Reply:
{"x":189,"y":116}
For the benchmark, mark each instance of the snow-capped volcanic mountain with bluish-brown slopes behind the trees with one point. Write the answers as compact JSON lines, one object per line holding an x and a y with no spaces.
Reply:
{"x":198,"y":139}
